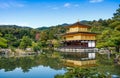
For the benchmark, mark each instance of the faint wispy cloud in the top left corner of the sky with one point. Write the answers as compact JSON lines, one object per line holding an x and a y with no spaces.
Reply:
{"x":10,"y":4}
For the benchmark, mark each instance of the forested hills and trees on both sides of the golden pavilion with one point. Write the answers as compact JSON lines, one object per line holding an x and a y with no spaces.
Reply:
{"x":23,"y":37}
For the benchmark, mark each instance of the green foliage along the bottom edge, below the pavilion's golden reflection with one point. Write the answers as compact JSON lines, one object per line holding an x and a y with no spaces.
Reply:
{"x":77,"y":72}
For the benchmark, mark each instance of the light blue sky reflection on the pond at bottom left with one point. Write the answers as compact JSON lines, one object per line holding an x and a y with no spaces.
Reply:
{"x":34,"y":72}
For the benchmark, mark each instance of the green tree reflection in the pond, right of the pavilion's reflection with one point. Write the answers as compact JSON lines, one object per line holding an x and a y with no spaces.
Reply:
{"x":107,"y":65}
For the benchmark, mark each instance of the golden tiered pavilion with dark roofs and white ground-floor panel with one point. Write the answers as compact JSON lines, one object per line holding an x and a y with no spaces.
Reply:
{"x":79,"y":36}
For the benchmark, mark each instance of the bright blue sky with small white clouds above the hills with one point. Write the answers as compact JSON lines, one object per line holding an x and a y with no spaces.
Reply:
{"x":39,"y":13}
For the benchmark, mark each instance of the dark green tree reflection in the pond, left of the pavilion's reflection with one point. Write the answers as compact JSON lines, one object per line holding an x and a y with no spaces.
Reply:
{"x":26,"y":63}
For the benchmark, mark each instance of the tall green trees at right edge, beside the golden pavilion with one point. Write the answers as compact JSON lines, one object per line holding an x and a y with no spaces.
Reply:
{"x":110,"y":35}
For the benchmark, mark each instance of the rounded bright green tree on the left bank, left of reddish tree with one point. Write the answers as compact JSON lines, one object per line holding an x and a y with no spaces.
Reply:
{"x":25,"y":42}
